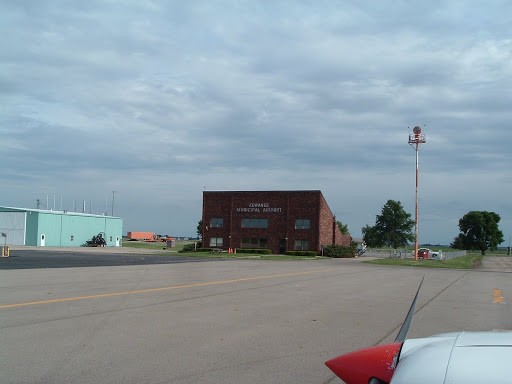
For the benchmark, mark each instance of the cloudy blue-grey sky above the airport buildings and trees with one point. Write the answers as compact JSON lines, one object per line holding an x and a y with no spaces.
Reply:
{"x":160,"y":100}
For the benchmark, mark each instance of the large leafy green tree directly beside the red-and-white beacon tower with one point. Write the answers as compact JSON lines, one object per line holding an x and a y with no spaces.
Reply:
{"x":393,"y":227}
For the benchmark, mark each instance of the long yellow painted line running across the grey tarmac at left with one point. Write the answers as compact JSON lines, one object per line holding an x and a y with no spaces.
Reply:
{"x":139,"y":291}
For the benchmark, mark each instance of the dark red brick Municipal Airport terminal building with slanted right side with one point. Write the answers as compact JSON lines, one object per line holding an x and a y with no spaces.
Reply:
{"x":277,"y":220}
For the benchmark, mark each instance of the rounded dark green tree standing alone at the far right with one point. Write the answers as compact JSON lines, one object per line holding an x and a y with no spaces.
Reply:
{"x":479,"y":230}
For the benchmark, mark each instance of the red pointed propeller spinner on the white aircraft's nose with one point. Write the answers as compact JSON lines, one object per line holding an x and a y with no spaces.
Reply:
{"x":361,"y":367}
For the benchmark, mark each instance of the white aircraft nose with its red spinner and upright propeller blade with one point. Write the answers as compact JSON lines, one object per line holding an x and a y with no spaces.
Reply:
{"x":457,"y":357}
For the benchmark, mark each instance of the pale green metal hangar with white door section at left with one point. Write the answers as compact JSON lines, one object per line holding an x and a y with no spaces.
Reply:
{"x":38,"y":227}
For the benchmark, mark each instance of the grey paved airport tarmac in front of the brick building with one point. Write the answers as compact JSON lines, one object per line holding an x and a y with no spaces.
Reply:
{"x":210,"y":322}
